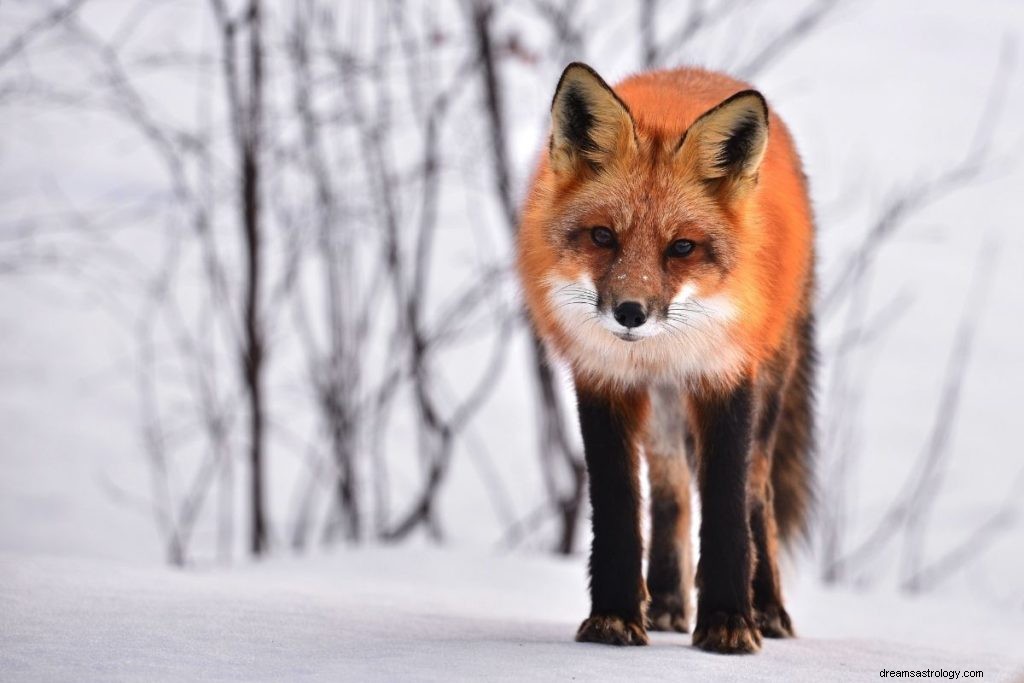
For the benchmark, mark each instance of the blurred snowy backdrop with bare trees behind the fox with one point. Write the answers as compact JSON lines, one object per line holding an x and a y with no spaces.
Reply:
{"x":257,"y":294}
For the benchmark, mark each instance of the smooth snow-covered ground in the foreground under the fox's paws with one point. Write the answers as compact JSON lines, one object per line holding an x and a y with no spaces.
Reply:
{"x":428,"y":615}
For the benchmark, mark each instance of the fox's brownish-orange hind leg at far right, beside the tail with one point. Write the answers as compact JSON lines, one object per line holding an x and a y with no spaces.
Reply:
{"x":772,"y":617}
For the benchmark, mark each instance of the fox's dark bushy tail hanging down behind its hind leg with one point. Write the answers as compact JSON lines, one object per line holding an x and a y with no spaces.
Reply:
{"x":793,"y":473}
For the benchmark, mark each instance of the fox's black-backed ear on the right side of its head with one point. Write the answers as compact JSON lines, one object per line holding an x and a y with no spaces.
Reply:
{"x":728,"y":145}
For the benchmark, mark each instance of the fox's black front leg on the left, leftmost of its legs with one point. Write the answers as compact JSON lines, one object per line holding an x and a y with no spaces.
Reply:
{"x":611,"y":429}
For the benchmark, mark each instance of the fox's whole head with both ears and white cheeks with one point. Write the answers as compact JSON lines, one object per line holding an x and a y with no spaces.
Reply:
{"x":644,"y":235}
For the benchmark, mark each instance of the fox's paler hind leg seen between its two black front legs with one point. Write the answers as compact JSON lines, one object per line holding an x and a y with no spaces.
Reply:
{"x":670,"y":565}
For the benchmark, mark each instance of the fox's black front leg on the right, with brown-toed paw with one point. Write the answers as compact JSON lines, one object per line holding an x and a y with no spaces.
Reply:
{"x":723,"y":428}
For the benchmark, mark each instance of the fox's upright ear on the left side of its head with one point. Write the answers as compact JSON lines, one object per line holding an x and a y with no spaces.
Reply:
{"x":590,"y":125}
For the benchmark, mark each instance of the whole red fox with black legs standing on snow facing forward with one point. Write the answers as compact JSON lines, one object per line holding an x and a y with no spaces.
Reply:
{"x":666,"y":253}
